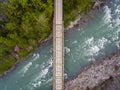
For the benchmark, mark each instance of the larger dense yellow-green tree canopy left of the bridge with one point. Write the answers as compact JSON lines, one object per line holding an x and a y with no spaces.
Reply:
{"x":26,"y":23}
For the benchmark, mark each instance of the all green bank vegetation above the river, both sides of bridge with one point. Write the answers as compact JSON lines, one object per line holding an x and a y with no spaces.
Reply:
{"x":26,"y":24}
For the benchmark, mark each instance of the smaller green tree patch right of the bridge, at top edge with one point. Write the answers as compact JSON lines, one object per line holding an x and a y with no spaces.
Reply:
{"x":72,"y":8}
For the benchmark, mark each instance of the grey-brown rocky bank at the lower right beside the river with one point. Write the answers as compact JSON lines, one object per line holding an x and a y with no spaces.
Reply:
{"x":99,"y":76}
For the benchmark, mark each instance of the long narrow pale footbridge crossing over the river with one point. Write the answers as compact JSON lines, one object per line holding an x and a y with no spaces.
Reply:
{"x":58,"y":46}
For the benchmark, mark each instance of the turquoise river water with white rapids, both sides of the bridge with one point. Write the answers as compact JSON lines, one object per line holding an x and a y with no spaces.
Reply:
{"x":96,"y":39}
